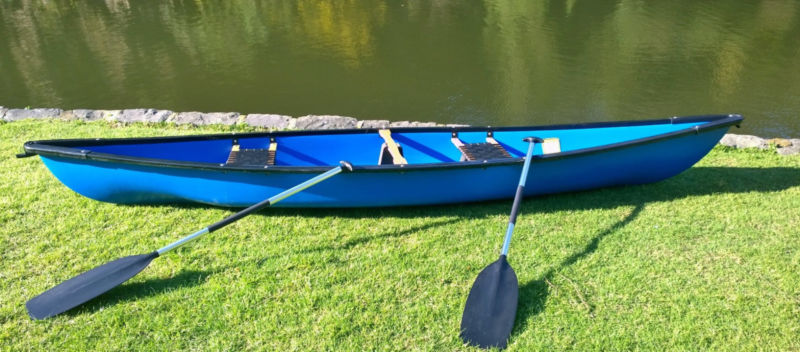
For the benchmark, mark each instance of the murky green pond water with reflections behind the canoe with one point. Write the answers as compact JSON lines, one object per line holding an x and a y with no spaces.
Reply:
{"x":499,"y":62}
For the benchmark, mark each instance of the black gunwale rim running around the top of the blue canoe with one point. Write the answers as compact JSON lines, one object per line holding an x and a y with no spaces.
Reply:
{"x":64,"y":147}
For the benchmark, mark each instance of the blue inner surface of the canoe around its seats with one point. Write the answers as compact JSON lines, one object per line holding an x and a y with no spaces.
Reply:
{"x":361,"y":148}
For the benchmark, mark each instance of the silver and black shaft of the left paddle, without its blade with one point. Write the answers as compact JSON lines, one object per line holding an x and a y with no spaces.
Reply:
{"x":253,"y":208}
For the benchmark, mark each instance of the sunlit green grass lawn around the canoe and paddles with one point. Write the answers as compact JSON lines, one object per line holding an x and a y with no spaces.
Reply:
{"x":709,"y":259}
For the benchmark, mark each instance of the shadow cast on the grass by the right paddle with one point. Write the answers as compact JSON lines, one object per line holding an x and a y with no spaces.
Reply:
{"x":534,"y":293}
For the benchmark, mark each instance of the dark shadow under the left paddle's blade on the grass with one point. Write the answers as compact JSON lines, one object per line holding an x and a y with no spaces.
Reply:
{"x":138,"y":290}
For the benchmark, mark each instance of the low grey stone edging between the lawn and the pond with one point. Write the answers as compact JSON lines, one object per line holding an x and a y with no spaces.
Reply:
{"x":283,"y":122}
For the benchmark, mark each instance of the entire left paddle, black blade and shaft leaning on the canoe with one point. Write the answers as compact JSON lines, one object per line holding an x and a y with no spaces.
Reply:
{"x":79,"y":289}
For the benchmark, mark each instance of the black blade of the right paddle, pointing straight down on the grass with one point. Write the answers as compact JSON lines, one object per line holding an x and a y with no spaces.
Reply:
{"x":491,"y":306}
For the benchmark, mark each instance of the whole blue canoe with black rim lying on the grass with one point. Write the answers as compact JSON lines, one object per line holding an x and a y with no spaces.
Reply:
{"x":396,"y":167}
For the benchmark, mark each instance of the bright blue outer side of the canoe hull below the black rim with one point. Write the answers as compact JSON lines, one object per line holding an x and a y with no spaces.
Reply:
{"x":131,"y":183}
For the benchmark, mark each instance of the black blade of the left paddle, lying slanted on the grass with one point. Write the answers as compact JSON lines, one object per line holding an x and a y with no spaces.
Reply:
{"x":77,"y":290}
